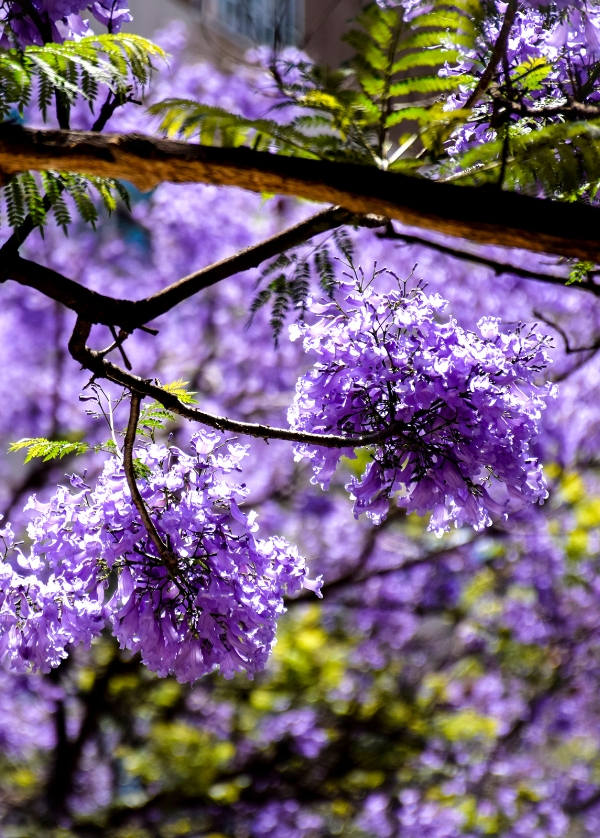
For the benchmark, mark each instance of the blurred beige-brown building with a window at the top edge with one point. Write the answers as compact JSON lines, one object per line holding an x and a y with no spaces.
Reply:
{"x":222,"y":30}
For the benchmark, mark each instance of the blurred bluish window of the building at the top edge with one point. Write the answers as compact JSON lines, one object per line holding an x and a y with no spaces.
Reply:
{"x":263,"y":21}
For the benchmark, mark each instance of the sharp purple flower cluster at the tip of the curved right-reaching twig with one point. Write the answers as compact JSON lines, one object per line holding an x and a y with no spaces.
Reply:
{"x":454,"y":413}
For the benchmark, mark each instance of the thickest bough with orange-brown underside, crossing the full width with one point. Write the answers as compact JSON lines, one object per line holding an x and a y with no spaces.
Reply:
{"x":487,"y":217}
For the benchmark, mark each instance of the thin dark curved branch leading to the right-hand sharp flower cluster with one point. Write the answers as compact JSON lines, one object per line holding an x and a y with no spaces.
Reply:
{"x":101,"y":368}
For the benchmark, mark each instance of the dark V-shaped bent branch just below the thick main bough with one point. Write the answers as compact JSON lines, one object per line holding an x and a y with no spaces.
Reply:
{"x":130,"y":314}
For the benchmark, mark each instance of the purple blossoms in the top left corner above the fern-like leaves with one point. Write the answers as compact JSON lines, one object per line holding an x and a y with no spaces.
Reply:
{"x":39,"y":21}
